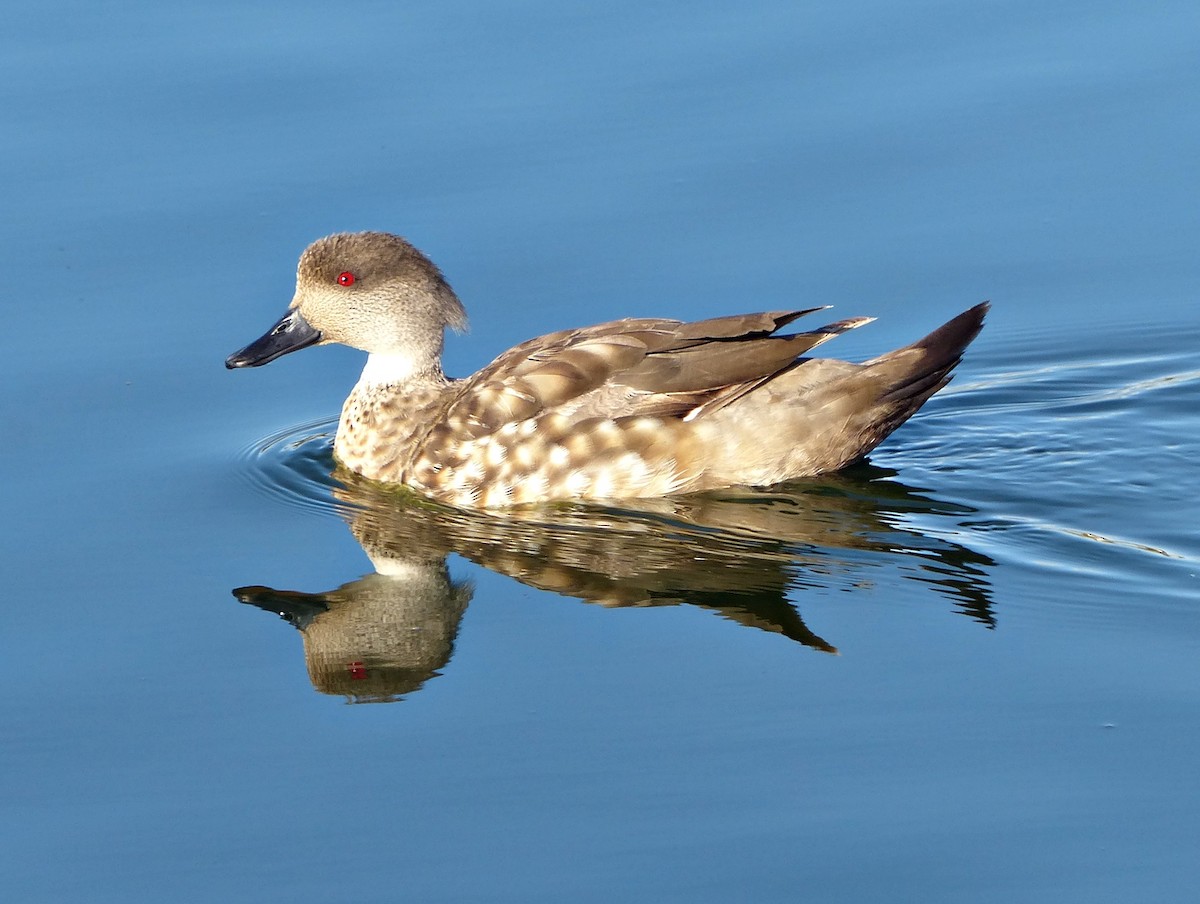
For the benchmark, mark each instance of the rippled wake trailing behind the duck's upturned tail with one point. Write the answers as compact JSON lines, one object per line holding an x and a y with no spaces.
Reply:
{"x":1078,"y":459}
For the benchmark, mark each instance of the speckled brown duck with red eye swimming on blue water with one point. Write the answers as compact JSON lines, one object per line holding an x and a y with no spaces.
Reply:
{"x":626,"y":410}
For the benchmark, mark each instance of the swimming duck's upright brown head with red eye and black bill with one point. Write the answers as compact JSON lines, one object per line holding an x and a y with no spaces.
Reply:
{"x":371,"y":291}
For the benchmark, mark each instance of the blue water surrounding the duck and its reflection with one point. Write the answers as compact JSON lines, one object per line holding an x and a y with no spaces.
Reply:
{"x":164,"y":166}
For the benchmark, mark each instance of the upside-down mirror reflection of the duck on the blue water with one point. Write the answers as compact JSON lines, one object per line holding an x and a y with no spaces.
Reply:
{"x":737,"y":553}
